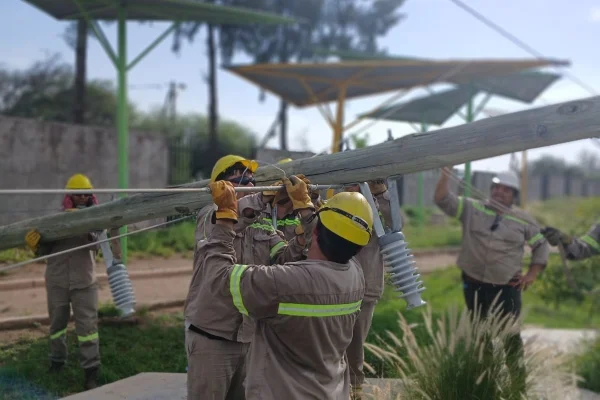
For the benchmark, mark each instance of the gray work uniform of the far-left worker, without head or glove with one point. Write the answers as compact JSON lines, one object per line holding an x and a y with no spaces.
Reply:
{"x":71,"y":281}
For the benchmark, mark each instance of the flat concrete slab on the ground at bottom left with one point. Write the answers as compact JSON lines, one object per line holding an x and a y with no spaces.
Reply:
{"x":144,"y":386}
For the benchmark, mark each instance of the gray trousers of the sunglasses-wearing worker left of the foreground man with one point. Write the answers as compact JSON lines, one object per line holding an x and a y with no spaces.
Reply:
{"x":216,"y":368}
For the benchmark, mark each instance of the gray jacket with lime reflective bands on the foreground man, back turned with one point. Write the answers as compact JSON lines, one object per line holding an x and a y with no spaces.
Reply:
{"x":305,"y":313}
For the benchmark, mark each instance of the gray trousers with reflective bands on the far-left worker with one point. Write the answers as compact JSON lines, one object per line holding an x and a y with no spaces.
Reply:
{"x":85,"y":310}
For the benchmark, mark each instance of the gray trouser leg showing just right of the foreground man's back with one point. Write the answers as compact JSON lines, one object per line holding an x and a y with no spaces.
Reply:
{"x":355,"y":351}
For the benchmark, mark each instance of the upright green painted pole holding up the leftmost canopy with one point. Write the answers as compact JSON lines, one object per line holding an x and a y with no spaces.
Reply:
{"x":123,"y":137}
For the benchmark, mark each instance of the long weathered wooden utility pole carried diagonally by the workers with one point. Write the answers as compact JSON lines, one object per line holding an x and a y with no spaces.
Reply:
{"x":490,"y":137}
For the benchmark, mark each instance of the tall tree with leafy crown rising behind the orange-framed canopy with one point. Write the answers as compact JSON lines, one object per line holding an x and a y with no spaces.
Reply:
{"x":348,"y":25}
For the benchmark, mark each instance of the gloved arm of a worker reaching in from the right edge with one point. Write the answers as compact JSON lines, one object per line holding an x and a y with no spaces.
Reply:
{"x":576,"y":248}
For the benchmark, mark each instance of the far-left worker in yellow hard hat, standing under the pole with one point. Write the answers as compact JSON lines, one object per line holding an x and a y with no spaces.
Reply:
{"x":71,"y":282}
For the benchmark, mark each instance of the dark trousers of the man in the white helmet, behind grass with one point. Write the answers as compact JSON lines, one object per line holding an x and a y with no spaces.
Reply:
{"x":483,"y":295}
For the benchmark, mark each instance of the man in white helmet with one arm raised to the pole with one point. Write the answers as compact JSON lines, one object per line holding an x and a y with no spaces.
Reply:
{"x":494,"y":236}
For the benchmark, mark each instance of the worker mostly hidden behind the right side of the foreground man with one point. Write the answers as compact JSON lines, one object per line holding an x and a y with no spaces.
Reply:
{"x":371,"y":262}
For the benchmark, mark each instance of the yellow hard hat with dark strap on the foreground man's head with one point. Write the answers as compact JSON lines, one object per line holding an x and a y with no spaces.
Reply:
{"x":348,"y":215}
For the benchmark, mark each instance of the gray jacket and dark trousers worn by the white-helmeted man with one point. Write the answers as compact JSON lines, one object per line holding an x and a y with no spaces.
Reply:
{"x":490,"y":257}
